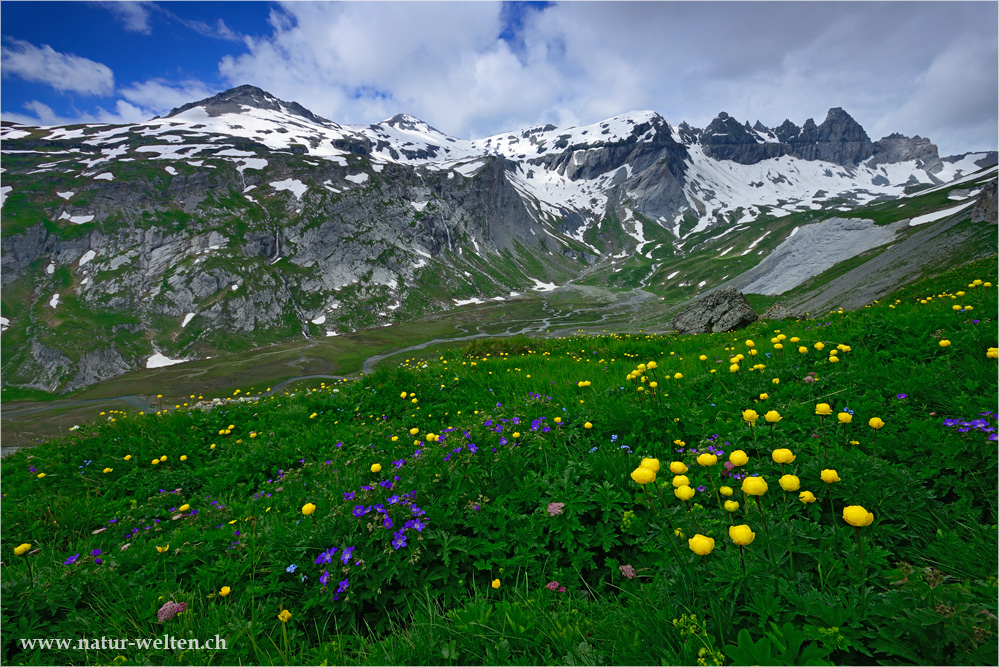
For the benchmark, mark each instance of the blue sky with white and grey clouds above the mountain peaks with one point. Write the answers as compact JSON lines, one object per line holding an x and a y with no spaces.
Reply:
{"x":472,"y":69}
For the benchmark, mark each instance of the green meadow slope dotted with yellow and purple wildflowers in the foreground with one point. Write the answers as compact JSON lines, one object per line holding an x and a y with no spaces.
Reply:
{"x":807,"y":492}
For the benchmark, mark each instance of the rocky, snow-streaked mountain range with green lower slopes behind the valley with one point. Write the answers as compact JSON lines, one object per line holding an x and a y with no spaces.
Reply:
{"x":242,"y":220}
